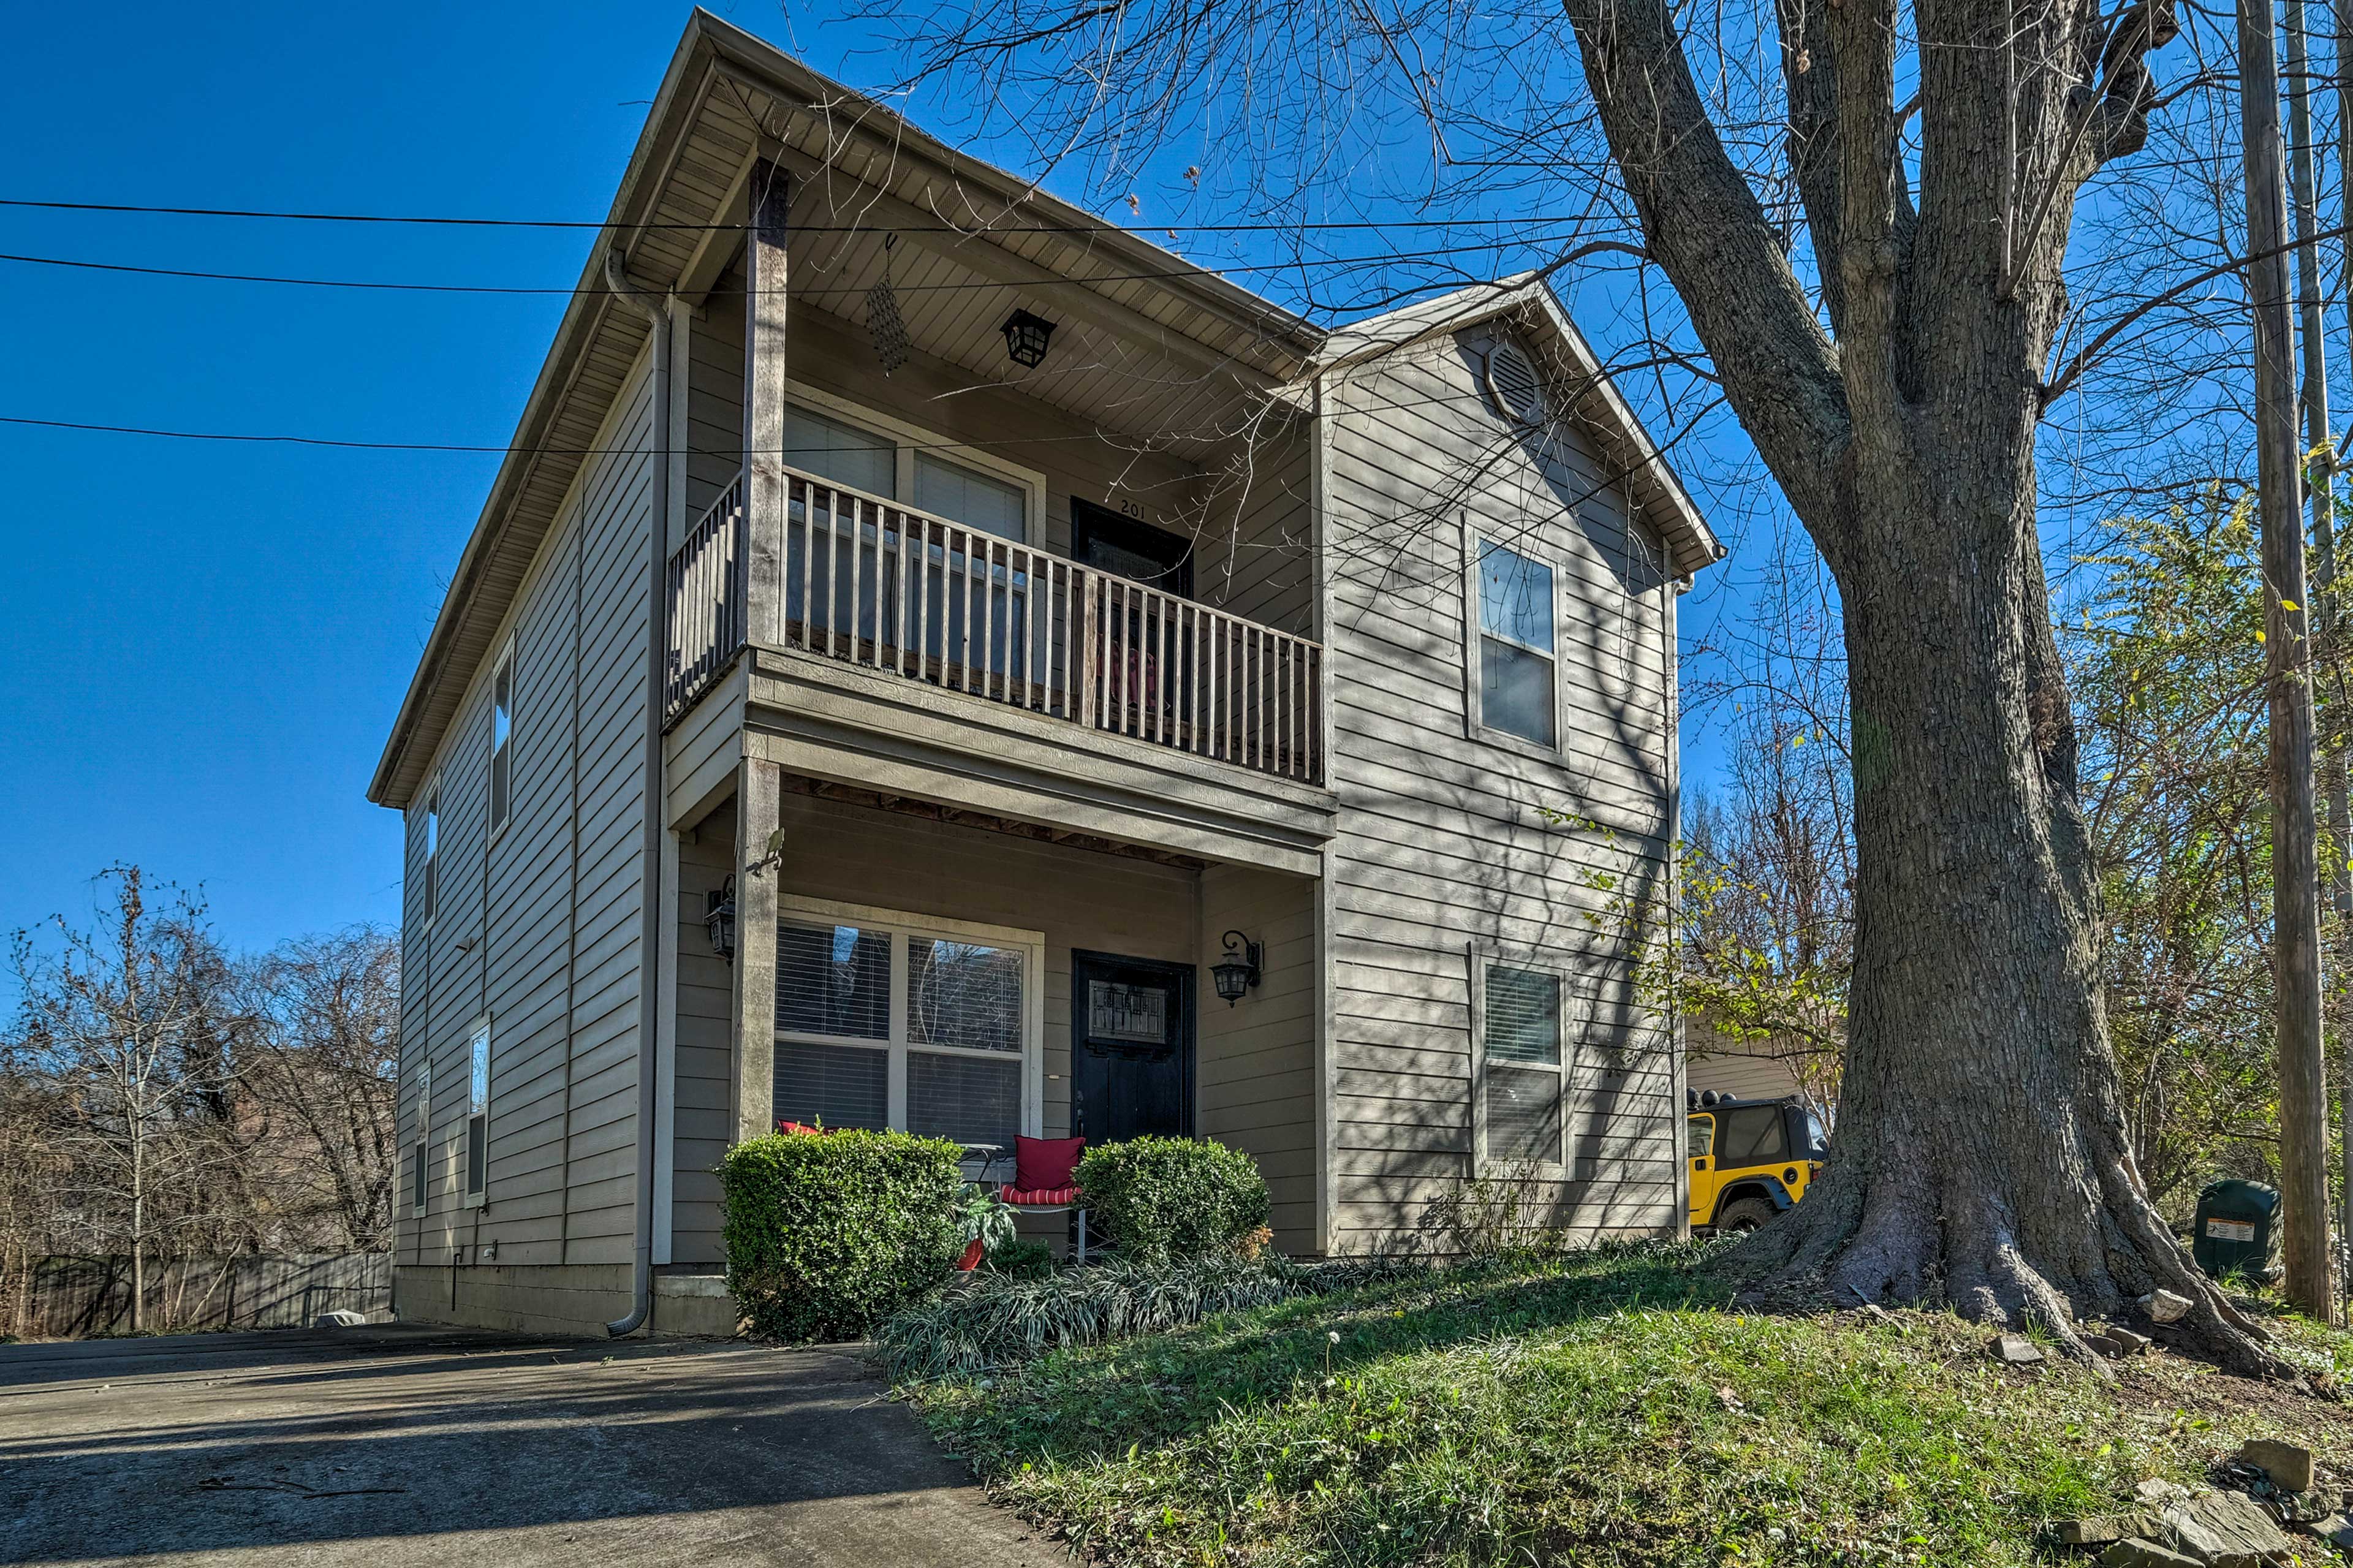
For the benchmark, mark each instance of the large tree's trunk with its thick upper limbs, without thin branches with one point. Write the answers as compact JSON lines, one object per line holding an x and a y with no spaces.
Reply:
{"x":1982,"y":1155}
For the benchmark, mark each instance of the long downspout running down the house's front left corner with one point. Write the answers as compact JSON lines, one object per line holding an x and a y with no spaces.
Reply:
{"x":658,"y":649}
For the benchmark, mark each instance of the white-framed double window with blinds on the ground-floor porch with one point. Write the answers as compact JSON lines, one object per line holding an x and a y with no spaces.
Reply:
{"x":907,"y":1023}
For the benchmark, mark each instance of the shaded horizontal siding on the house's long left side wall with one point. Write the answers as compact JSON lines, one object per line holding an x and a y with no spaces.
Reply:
{"x":538,"y":924}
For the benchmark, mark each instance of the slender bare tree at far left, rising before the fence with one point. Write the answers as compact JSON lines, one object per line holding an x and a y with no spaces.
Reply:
{"x":131,"y":1039}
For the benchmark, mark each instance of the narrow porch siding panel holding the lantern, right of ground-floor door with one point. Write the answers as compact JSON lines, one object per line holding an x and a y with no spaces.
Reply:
{"x":1258,"y":1056}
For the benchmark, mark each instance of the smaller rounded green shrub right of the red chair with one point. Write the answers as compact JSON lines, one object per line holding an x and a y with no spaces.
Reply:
{"x":1175,"y":1197}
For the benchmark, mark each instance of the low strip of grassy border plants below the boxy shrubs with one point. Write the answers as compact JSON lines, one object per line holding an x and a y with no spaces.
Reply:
{"x":1006,"y":1317}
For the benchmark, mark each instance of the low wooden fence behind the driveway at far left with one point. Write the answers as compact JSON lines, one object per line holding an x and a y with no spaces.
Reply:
{"x":72,"y":1298}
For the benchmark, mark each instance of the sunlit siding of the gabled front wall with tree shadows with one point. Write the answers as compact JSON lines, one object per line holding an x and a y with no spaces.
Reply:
{"x":1444,"y":832}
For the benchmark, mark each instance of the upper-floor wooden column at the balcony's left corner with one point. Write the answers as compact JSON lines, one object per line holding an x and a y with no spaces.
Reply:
{"x":764,"y":406}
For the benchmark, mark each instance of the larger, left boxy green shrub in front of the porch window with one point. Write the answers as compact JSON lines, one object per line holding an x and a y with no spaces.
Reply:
{"x":832,"y":1235}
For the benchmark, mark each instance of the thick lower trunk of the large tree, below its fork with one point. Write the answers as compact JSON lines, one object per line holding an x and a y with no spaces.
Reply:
{"x":1982,"y":1152}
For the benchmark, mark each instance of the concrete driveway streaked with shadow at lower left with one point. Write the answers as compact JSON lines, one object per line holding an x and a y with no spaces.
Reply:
{"x":451,"y":1447}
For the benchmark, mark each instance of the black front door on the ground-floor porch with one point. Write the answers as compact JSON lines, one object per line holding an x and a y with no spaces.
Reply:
{"x":1131,"y":1049}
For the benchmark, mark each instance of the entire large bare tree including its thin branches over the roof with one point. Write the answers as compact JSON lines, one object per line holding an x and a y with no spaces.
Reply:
{"x":1867,"y":215}
